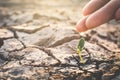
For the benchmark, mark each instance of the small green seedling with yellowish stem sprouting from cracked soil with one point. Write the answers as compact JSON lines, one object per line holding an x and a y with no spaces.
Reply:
{"x":80,"y":47}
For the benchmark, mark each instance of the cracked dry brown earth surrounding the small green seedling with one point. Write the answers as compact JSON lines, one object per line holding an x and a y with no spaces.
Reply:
{"x":40,"y":44}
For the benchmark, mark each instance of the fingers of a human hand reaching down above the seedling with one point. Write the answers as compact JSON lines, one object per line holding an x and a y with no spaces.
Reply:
{"x":98,"y":12}
